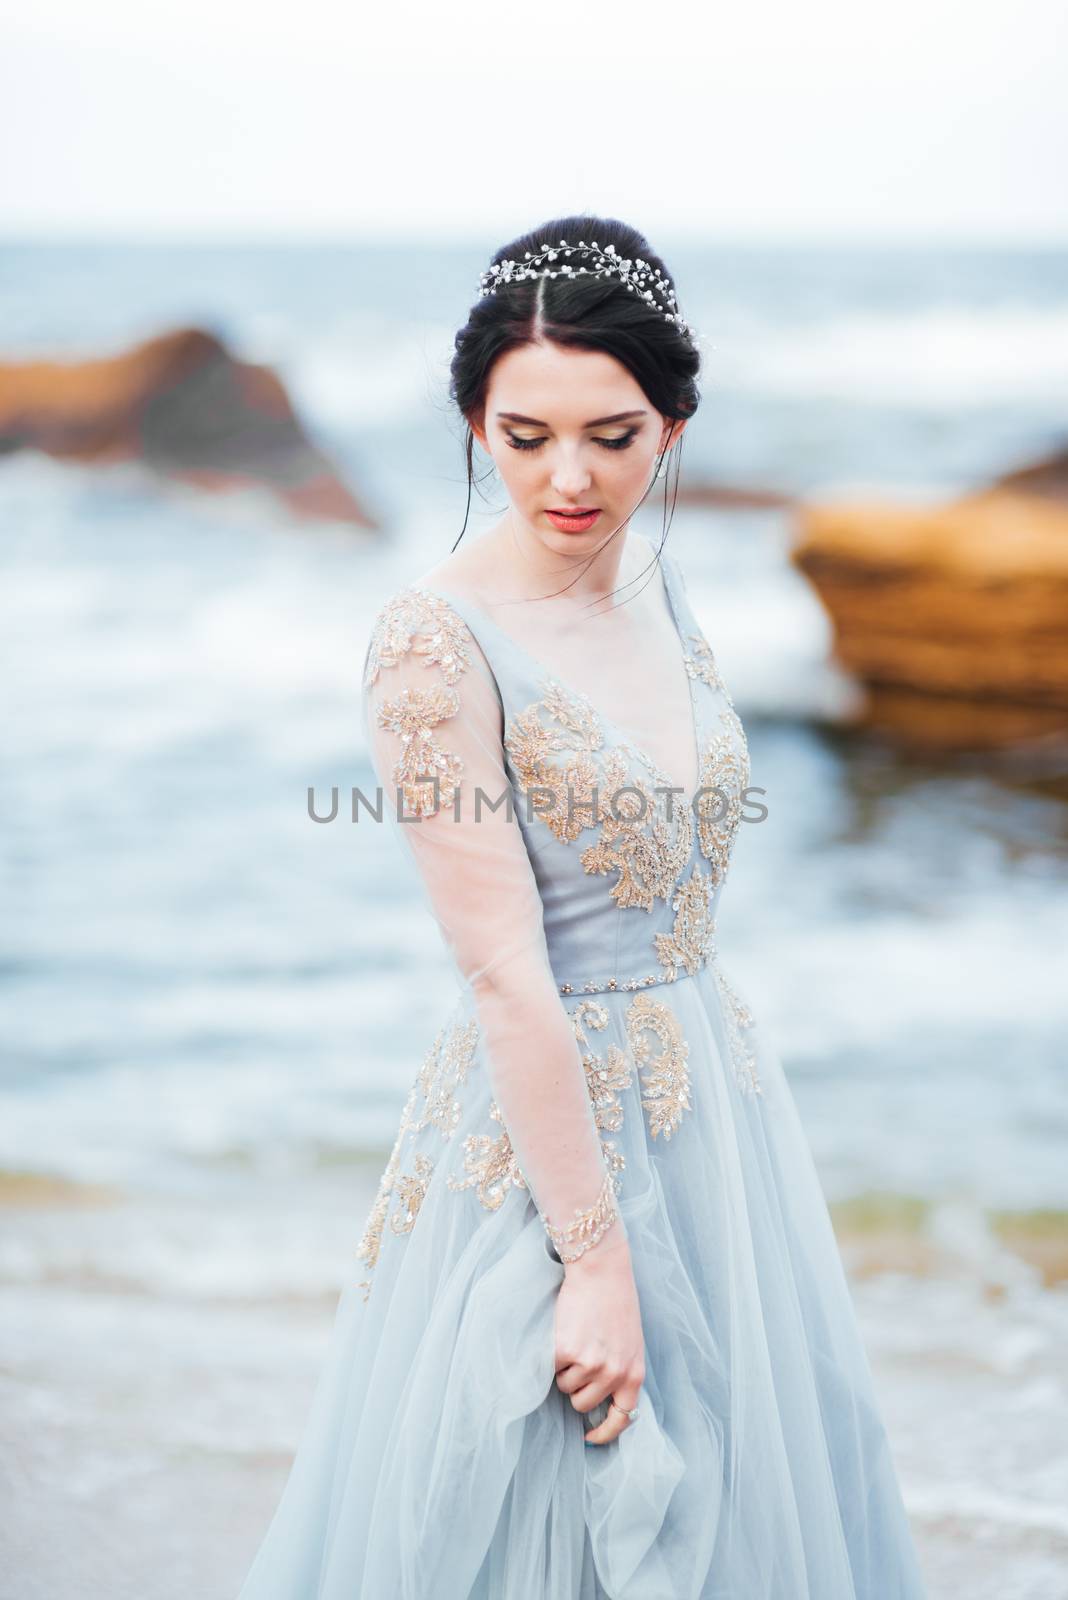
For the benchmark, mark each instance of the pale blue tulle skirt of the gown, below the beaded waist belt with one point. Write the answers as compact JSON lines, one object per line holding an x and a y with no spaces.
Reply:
{"x":440,"y":1462}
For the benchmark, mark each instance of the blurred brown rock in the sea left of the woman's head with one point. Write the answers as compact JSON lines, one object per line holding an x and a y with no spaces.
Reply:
{"x":186,"y":409}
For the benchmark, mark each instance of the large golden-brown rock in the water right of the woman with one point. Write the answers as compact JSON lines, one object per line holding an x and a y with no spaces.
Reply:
{"x":955,"y":617}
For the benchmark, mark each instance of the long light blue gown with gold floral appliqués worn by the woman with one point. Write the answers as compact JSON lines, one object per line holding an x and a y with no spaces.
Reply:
{"x":440,"y":1462}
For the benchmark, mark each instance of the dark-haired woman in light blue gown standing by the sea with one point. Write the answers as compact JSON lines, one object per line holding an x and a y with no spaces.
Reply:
{"x":599,"y":1338}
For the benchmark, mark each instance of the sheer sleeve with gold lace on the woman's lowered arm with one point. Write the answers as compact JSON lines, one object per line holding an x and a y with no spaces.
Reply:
{"x":434,"y":726}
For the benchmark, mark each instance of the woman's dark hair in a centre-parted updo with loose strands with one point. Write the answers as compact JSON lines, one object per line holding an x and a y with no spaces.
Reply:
{"x":576,"y":313}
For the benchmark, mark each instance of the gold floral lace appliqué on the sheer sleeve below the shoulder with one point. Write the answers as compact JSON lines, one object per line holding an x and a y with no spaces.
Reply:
{"x":426,"y":626}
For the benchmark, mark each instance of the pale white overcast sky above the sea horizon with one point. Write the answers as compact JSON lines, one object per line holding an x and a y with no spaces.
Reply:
{"x":826,"y":119}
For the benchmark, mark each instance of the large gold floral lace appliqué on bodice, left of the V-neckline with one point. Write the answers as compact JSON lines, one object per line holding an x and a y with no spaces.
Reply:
{"x":575,"y":783}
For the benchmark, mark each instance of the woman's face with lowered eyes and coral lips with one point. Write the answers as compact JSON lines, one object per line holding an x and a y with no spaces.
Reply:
{"x":572,"y":431}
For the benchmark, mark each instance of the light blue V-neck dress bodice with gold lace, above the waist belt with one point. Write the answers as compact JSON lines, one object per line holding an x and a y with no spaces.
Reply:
{"x":629,"y":866}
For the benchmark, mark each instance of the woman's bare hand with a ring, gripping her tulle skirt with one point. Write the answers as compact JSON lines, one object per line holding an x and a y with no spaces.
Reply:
{"x":600,"y":1350}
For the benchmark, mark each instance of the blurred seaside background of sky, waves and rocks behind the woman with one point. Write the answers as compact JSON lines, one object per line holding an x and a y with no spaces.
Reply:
{"x":236,"y":244}
